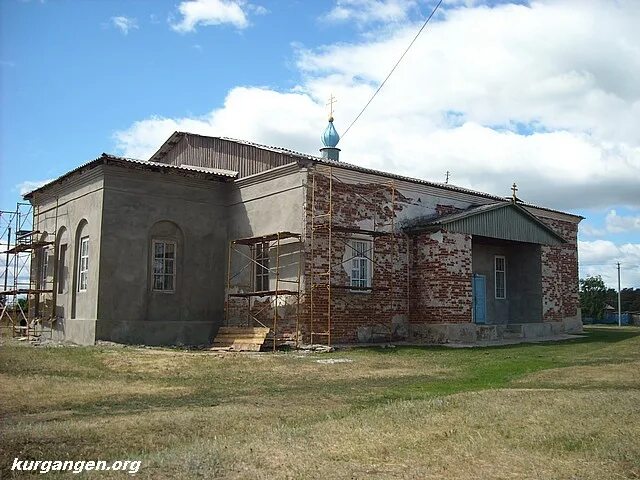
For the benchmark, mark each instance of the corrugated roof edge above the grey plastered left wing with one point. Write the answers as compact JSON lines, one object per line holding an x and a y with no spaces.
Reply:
{"x":108,"y":159}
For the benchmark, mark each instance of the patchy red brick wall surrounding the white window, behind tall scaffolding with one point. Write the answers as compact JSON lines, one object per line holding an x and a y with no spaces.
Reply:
{"x":365,"y":206}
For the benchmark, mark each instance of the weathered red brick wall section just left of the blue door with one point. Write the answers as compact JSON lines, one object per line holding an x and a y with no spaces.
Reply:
{"x":441,"y":278}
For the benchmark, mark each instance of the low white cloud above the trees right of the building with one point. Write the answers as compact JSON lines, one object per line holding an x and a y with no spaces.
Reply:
{"x":600,"y":257}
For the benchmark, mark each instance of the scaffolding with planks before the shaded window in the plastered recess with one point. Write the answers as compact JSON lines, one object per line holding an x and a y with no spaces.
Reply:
{"x":270,"y":247}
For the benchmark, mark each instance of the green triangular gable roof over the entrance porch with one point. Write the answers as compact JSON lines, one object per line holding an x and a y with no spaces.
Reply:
{"x":504,"y":220}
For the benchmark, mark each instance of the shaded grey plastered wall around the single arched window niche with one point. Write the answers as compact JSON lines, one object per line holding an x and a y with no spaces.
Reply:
{"x":139,"y":207}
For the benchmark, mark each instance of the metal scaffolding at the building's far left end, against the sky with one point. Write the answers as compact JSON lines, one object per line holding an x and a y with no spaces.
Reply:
{"x":27,"y":308}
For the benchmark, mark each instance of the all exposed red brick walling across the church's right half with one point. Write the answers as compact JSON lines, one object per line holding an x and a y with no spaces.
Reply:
{"x":425,"y":278}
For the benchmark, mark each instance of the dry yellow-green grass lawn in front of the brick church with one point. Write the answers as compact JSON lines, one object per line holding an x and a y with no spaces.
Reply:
{"x":557,"y":410}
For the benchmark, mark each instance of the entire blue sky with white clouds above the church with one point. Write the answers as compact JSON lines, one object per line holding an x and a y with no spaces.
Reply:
{"x":542,"y":93}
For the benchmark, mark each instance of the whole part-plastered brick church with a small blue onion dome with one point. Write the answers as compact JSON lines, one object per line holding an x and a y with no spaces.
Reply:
{"x":214,"y":231}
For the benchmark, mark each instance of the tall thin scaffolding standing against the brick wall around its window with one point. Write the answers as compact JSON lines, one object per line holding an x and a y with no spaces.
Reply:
{"x":324,"y":225}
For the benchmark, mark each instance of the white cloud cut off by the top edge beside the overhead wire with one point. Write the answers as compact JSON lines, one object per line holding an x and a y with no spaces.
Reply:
{"x":363,"y":12}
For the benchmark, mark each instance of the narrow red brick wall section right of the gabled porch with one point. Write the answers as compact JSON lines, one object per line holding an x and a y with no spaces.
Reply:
{"x":560,"y":298}
